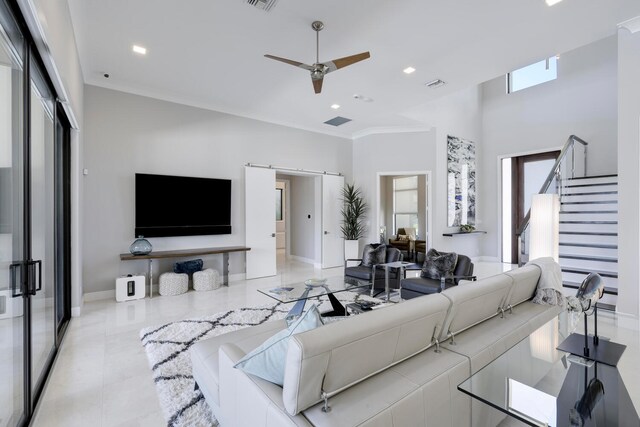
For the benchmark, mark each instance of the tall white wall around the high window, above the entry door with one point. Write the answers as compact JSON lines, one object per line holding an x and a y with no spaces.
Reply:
{"x":582,"y":101}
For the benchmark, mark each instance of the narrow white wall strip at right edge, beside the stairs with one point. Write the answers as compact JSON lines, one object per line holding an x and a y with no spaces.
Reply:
{"x":628,"y":176}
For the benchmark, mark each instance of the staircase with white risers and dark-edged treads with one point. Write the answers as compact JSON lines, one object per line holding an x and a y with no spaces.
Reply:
{"x":589,"y":233}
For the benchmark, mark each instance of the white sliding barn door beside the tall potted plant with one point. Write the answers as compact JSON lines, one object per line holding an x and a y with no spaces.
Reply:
{"x":332,"y":241}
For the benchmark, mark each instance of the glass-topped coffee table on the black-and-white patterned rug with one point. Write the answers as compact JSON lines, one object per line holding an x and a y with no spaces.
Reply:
{"x":312,"y":288}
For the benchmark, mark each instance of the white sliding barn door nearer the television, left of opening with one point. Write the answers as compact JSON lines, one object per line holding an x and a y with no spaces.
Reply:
{"x":260,"y":221}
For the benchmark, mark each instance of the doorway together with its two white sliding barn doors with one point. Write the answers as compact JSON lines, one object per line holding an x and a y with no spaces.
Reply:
{"x":312,"y":205}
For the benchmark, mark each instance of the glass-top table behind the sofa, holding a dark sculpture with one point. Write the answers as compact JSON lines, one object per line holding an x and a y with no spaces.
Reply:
{"x":541,"y":386}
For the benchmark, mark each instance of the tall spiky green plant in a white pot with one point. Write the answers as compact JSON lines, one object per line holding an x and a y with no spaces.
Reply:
{"x":353,"y":214}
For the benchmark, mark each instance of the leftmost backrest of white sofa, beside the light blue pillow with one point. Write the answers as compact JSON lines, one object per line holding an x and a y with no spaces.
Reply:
{"x":339,"y":355}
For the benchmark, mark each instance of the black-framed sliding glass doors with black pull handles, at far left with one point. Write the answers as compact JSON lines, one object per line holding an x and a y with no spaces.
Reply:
{"x":34,"y":222}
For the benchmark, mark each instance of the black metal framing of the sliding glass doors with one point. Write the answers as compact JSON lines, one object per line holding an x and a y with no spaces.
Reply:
{"x":62,"y":217}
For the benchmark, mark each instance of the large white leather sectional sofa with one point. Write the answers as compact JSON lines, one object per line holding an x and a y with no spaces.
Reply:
{"x":399,"y":365}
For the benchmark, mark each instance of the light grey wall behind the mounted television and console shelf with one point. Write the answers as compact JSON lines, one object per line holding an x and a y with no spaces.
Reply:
{"x":129,"y":133}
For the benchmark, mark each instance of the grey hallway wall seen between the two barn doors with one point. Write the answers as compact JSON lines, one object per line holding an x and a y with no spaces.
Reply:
{"x":303,"y":228}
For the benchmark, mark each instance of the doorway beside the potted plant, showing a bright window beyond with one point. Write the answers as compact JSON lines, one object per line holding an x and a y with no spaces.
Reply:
{"x":404,"y":200}
